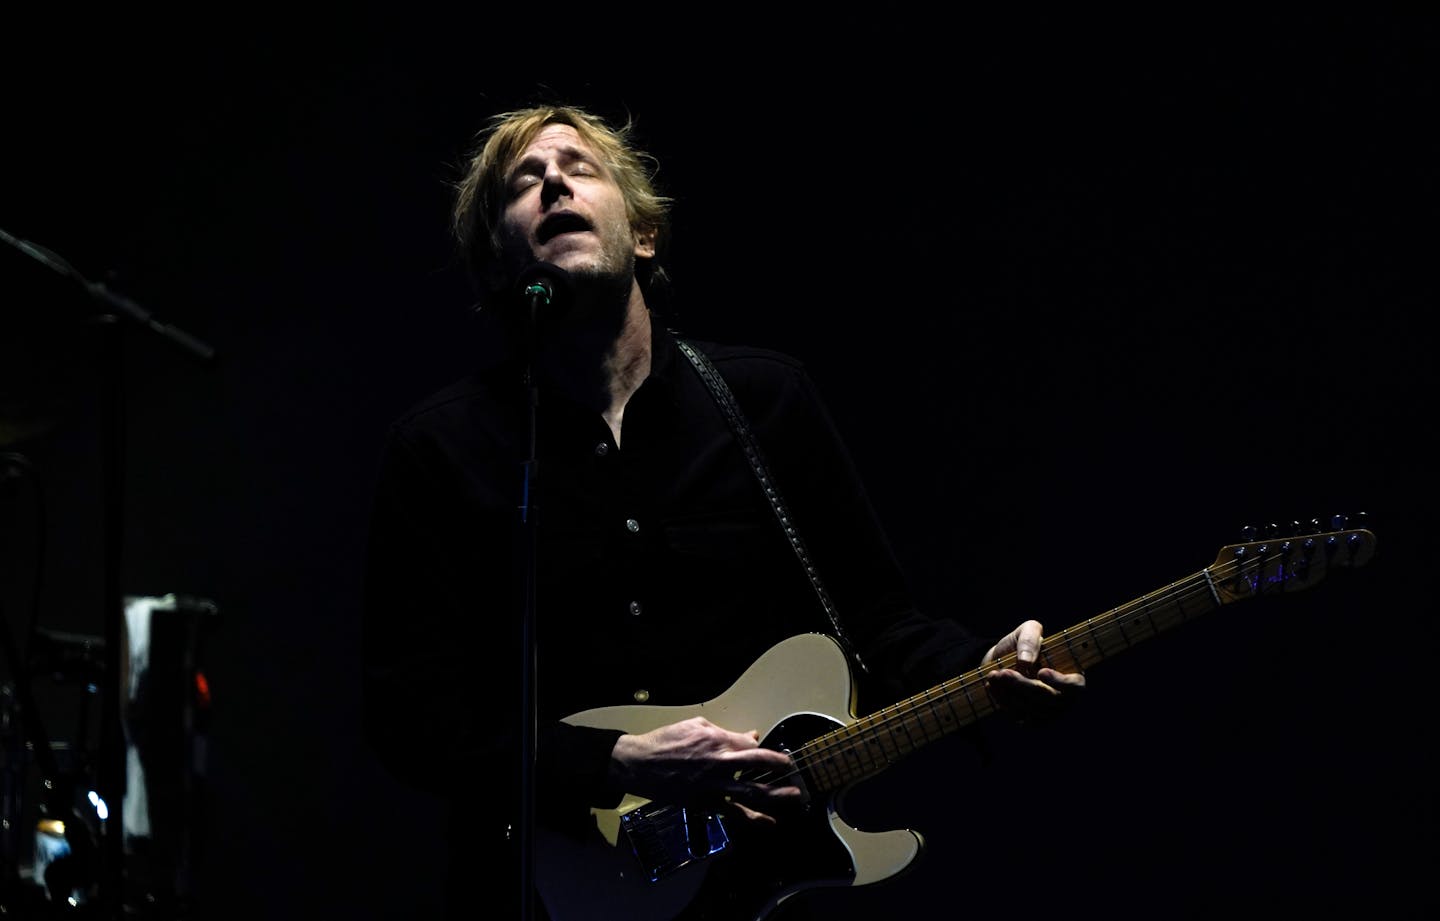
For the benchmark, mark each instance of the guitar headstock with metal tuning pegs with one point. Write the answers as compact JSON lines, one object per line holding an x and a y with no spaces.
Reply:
{"x":1272,"y":563}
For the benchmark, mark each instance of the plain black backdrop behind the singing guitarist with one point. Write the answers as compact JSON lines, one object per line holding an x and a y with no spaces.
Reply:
{"x":1086,"y":296}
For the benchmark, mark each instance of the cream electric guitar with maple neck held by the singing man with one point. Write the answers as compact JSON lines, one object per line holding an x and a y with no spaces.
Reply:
{"x":650,"y":861}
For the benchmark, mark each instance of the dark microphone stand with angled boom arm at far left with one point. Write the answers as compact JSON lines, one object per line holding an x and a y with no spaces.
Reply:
{"x":112,"y":772}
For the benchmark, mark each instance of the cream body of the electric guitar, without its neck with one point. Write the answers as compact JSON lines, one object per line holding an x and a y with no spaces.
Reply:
{"x":598,"y":876}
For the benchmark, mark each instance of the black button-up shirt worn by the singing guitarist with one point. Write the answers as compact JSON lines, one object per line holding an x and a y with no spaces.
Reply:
{"x":662,"y":568}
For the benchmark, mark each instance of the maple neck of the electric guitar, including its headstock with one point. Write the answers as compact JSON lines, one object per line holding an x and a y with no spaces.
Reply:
{"x":872,"y":743}
